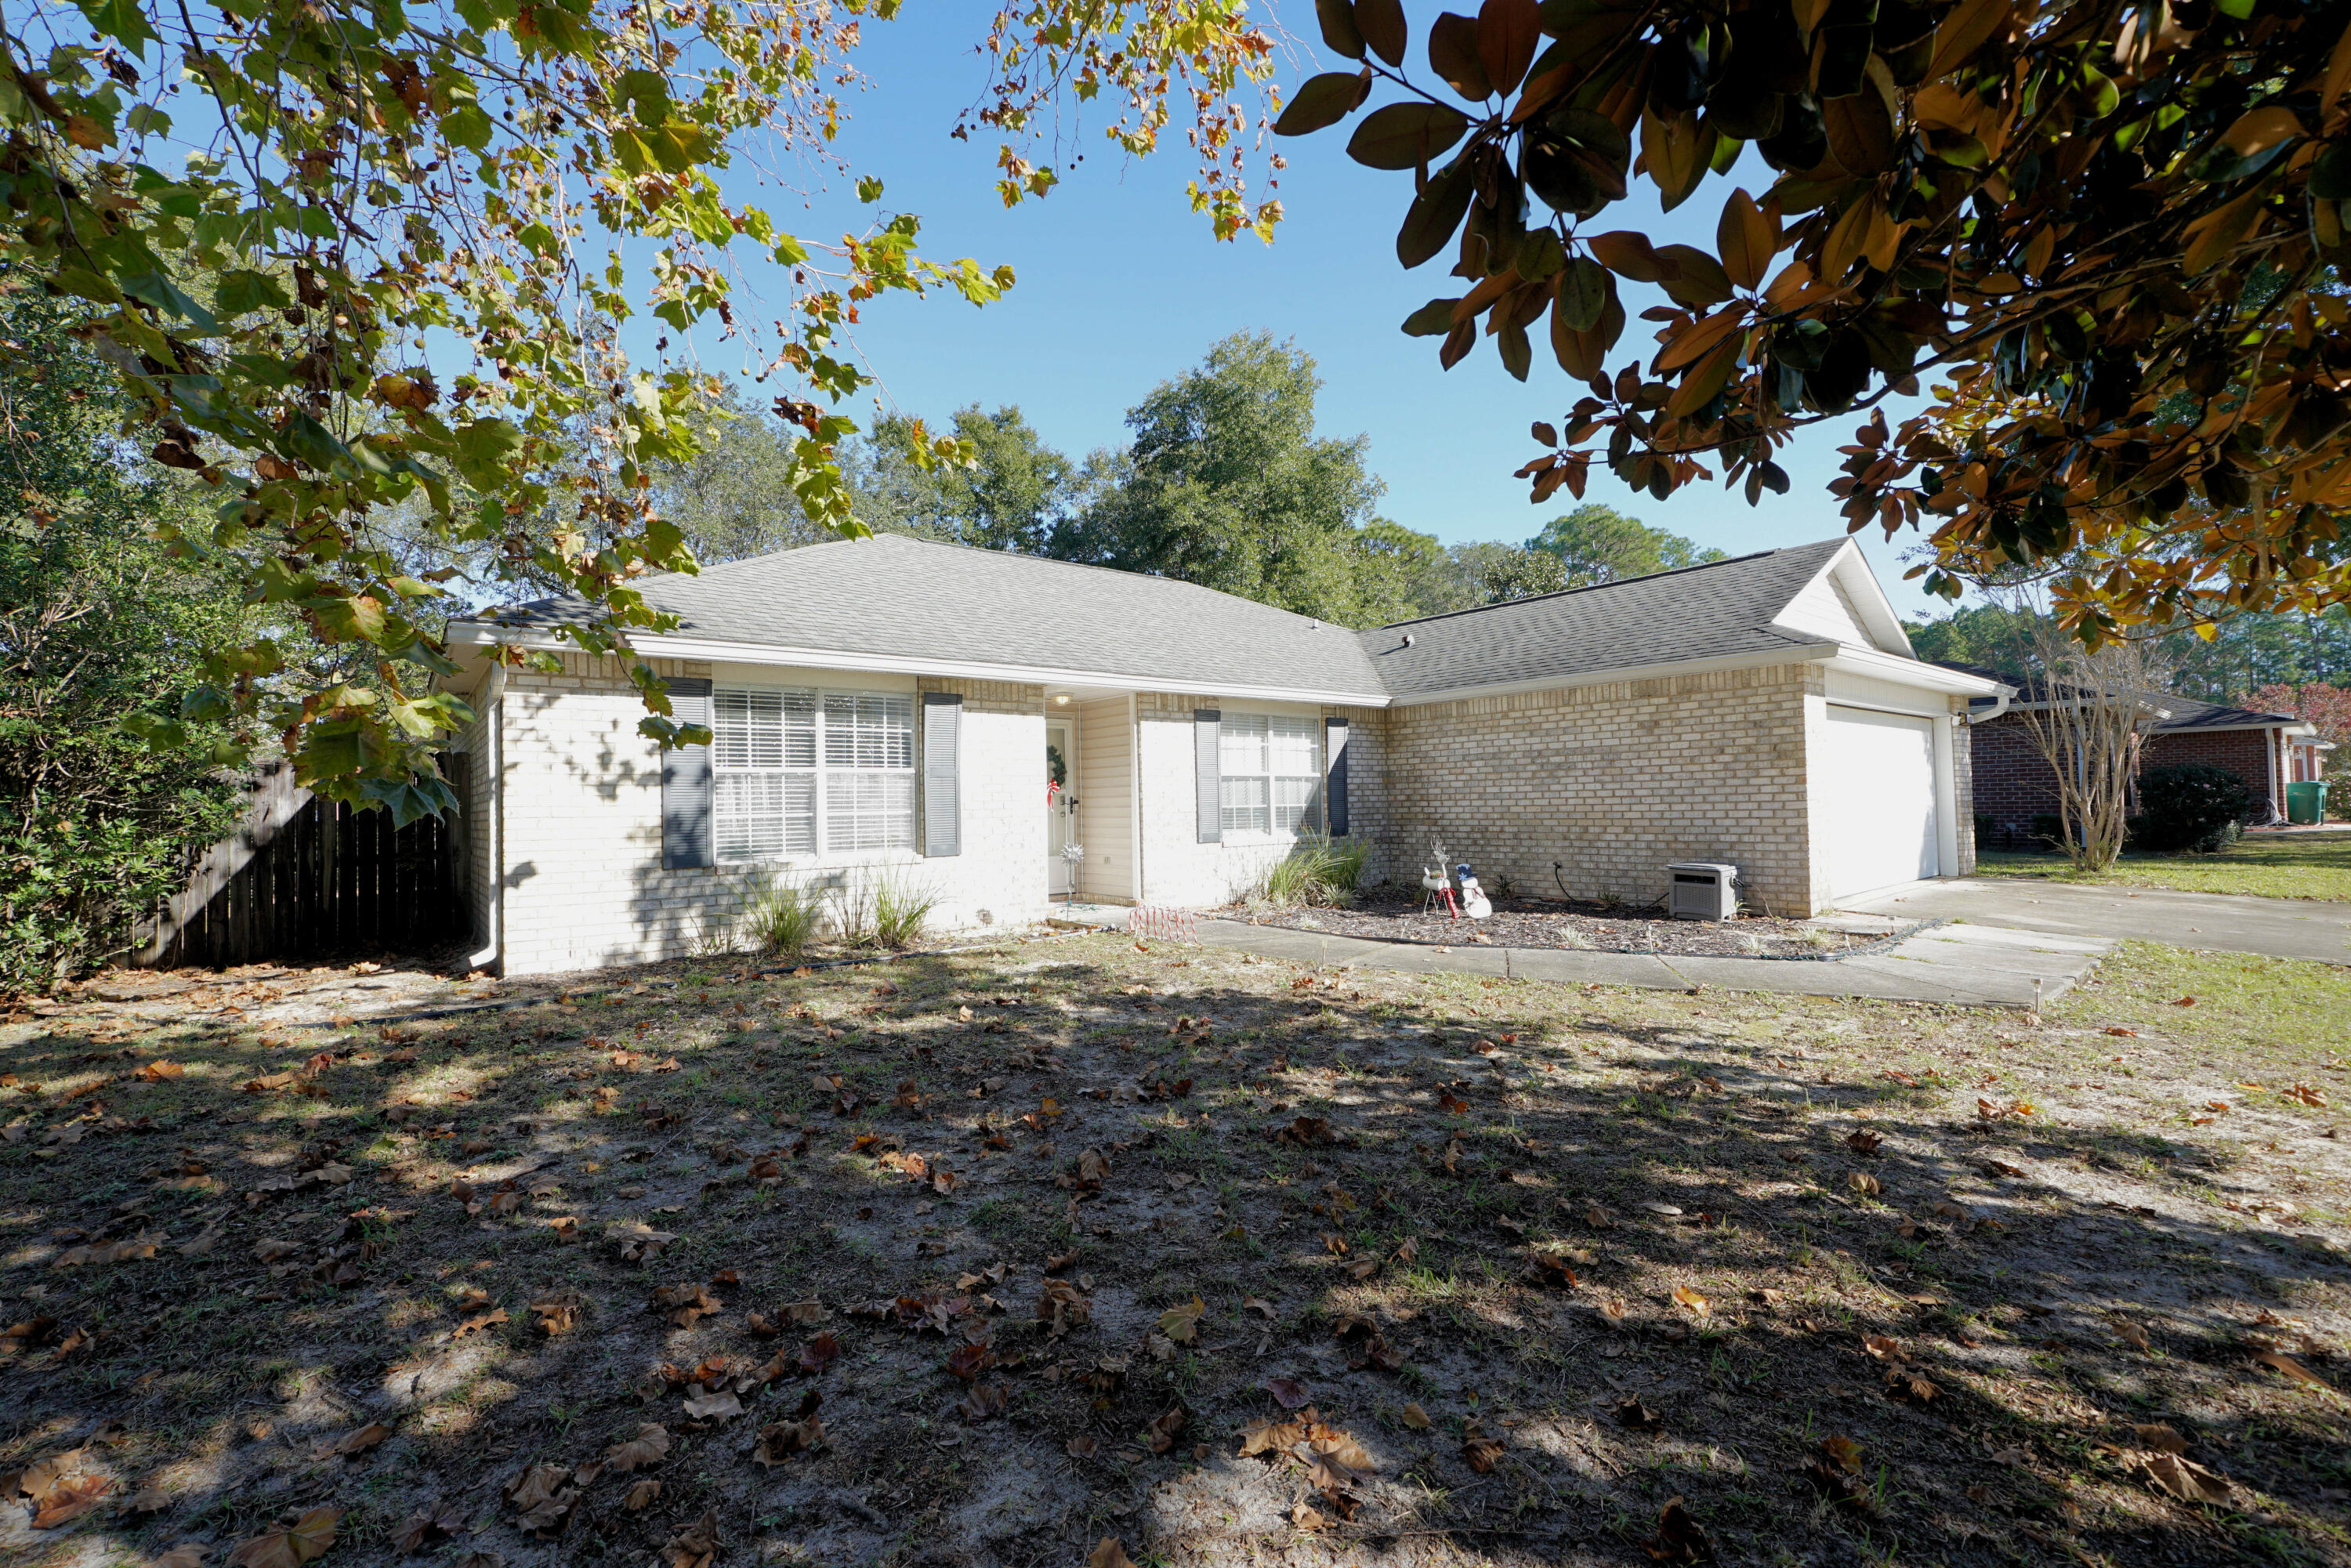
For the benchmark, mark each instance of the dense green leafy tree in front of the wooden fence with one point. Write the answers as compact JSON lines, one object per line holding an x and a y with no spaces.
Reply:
{"x":100,"y":624}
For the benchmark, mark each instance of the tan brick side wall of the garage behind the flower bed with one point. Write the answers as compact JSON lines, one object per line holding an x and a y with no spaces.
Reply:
{"x":1614,"y":782}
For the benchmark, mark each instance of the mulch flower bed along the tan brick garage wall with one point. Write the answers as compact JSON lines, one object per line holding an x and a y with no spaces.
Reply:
{"x":1395,"y":916}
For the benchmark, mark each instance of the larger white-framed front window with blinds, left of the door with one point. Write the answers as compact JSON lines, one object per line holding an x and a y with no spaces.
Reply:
{"x":796,"y":770}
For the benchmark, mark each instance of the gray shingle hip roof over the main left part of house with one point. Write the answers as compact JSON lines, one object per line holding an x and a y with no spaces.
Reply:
{"x":913,"y":598}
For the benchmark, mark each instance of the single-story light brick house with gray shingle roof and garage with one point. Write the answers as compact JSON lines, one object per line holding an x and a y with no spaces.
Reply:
{"x":1003,"y":732}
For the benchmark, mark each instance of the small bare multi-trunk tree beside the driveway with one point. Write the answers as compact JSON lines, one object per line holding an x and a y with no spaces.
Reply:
{"x":2087,"y":713}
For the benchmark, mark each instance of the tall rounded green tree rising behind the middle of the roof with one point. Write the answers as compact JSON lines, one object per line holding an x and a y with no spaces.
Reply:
{"x":1228,"y":485}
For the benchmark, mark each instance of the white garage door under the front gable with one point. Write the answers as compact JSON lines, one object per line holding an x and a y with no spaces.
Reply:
{"x":1880,"y":800}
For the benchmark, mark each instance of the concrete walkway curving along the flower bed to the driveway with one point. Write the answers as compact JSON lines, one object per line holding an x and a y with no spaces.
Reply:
{"x":1969,"y":965}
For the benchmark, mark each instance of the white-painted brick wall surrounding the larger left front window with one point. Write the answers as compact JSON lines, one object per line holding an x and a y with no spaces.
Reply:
{"x":580,"y":859}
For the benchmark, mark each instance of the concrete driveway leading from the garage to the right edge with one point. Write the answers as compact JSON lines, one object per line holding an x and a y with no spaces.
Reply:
{"x":2279,"y":927}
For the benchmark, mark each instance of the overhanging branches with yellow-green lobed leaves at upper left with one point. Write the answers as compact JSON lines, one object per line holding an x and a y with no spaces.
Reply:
{"x":276,"y":220}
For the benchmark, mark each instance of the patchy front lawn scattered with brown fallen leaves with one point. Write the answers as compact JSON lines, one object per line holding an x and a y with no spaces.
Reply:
{"x":996,"y":1257}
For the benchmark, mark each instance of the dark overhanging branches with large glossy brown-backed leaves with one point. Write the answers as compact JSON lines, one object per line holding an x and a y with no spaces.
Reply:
{"x":2108,"y":234}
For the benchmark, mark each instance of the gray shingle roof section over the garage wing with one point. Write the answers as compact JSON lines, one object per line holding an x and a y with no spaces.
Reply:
{"x":1701,"y":612}
